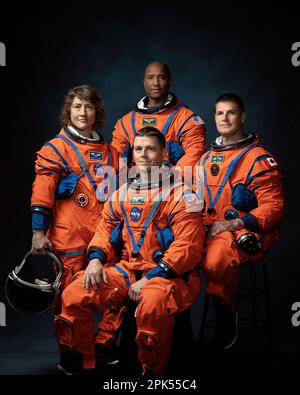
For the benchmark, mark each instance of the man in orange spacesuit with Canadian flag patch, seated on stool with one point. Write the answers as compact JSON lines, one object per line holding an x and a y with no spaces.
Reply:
{"x":244,"y":202}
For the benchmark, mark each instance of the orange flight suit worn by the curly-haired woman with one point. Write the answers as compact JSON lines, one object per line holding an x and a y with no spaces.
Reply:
{"x":72,"y":221}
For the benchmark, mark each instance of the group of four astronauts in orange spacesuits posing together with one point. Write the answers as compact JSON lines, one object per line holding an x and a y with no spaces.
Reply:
{"x":147,"y":239}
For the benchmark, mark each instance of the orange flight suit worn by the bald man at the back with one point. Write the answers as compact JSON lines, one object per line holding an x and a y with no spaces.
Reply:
{"x":184,"y":132}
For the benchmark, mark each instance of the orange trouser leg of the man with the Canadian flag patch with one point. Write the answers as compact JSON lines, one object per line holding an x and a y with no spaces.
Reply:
{"x":220,"y":263}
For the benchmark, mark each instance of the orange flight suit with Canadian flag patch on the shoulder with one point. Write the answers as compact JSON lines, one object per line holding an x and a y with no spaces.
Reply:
{"x":230,"y":175}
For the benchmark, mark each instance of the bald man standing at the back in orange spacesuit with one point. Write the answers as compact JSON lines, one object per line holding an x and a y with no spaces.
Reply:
{"x":184,"y":132}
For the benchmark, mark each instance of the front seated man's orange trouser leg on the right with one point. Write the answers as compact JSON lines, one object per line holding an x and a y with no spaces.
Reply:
{"x":155,"y":315}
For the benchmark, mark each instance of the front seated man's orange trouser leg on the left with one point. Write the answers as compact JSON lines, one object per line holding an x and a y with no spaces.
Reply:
{"x":74,"y":326}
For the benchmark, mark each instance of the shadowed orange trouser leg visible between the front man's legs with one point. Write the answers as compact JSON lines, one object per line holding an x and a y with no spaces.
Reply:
{"x":109,"y":325}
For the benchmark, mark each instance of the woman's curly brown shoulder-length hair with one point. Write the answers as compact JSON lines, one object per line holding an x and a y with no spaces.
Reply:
{"x":83,"y":92}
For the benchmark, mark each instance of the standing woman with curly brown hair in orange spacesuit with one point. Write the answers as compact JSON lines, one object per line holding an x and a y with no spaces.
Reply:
{"x":71,"y":184}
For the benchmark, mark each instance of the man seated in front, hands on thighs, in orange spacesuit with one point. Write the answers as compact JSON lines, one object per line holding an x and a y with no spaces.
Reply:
{"x":163,"y":240}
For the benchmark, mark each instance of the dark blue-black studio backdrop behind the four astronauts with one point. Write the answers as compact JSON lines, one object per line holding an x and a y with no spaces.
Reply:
{"x":211,"y":49}
